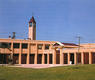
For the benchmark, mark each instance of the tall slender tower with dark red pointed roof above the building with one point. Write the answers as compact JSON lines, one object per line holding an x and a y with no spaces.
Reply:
{"x":32,"y":29}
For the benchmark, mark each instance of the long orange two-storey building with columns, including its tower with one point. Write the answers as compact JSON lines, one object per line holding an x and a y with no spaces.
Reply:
{"x":32,"y":51}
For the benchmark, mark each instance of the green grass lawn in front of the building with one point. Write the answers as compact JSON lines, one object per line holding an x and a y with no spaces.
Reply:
{"x":78,"y":72}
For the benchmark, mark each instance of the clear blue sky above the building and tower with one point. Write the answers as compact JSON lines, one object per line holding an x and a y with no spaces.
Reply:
{"x":56,"y":20}
